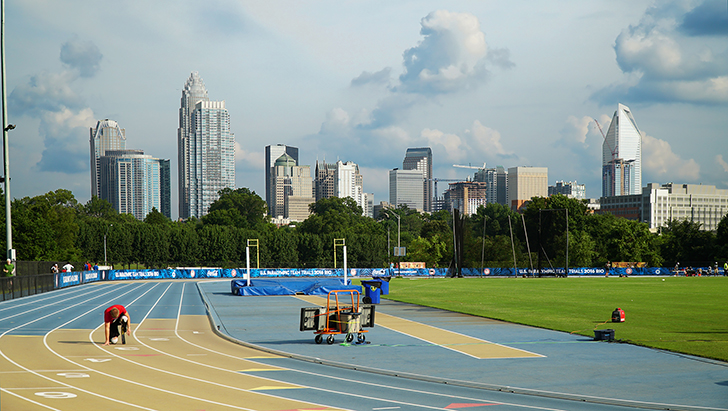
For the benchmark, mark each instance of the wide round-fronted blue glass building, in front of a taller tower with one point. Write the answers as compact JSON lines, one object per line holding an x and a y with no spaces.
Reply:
{"x":134,"y":183}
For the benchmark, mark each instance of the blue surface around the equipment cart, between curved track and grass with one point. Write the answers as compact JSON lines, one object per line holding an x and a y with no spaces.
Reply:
{"x":573,"y":365}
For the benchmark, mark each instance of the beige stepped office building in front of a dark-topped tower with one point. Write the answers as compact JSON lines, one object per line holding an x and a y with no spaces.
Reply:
{"x":292,"y":189}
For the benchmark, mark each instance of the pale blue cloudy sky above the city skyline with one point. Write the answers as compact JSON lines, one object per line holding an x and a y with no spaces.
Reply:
{"x":503,"y":82}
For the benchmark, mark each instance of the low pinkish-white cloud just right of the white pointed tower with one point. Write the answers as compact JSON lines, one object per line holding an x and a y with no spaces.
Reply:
{"x":662,"y":164}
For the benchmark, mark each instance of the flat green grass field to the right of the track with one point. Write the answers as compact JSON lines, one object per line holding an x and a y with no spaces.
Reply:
{"x":687,"y":315}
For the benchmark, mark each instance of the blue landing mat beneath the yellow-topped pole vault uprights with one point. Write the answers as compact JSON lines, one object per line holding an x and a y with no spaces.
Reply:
{"x":290,"y":286}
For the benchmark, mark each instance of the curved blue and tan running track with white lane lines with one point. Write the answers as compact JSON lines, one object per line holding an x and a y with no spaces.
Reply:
{"x":52,"y":358}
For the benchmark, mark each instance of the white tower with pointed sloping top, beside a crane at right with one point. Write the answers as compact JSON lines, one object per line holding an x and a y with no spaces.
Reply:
{"x":622,"y":156}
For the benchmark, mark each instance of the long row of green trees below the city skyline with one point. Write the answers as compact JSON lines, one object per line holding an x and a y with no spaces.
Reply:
{"x":55,"y":227}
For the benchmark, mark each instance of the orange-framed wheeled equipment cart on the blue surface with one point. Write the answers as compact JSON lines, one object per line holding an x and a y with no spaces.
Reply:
{"x":342,"y":315}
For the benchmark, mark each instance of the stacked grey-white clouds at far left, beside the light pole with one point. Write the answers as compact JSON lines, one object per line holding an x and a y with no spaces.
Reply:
{"x":64,"y":118}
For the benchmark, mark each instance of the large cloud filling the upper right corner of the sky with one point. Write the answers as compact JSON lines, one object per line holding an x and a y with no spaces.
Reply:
{"x":665,"y":62}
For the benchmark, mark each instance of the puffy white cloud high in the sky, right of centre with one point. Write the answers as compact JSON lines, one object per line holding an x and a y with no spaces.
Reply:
{"x":450,"y":58}
